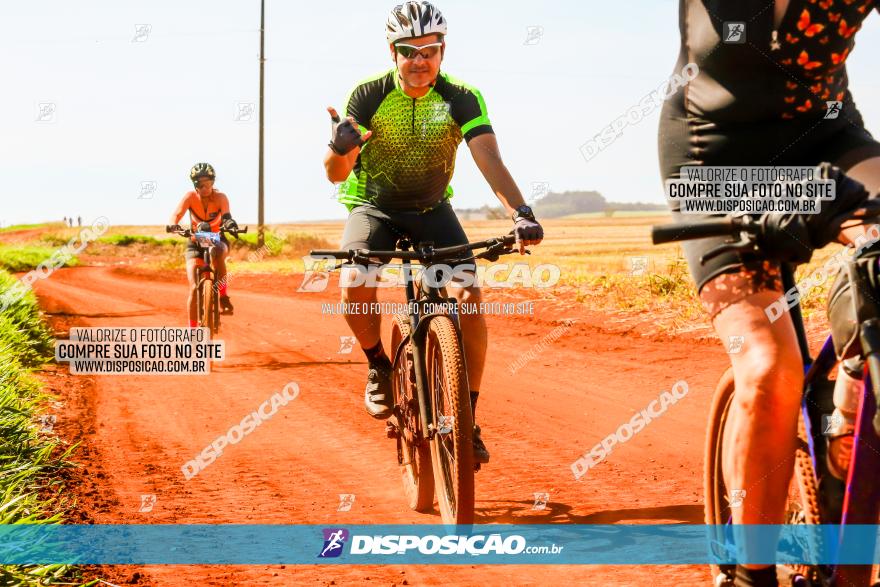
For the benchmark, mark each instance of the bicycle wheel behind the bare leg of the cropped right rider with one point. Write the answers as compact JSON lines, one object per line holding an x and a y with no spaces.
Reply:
{"x":802,"y":505}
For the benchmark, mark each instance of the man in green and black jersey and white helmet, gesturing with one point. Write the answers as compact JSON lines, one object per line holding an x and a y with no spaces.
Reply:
{"x":395,"y":150}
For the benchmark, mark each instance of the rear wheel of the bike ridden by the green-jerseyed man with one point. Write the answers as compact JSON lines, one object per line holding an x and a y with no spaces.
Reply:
{"x":413,"y":452}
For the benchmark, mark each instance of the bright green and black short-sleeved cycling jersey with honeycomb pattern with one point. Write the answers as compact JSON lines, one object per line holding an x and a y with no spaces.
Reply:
{"x":408,"y":161}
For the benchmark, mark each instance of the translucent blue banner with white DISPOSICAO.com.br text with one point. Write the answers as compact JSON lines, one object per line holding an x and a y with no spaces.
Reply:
{"x":591,"y":544}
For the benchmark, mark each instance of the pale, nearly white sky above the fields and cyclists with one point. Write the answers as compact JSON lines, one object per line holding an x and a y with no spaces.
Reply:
{"x":131,"y":112}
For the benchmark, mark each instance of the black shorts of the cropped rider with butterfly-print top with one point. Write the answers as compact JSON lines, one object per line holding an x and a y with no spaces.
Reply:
{"x":686,"y":140}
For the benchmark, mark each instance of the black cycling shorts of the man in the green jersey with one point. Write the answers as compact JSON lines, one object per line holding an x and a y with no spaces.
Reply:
{"x":369,"y":227}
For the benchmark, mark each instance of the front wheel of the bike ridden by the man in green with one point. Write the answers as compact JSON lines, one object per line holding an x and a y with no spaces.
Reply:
{"x":452,"y":448}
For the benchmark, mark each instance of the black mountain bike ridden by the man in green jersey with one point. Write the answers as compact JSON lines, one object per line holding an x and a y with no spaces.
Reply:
{"x":432,"y":420}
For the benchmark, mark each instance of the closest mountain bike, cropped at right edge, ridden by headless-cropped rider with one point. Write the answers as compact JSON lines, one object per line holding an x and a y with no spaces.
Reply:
{"x":815,"y":496}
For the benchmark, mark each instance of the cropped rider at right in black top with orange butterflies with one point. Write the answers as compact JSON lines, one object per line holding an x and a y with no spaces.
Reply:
{"x":778,"y":97}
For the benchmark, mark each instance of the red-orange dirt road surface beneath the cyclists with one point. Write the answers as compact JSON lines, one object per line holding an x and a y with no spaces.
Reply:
{"x":137,"y":431}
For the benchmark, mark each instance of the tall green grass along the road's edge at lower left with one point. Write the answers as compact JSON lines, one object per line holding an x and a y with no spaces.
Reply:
{"x":30,"y":460}
